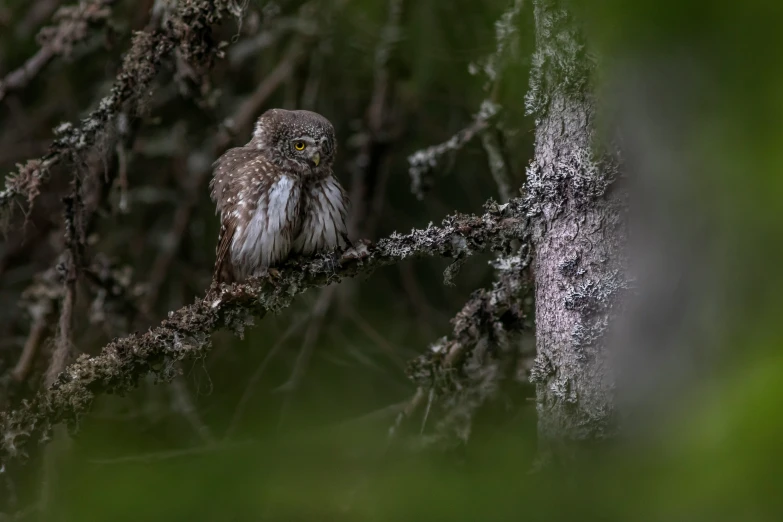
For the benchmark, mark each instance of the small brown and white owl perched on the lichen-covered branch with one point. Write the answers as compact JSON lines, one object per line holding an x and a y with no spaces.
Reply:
{"x":277,"y":195}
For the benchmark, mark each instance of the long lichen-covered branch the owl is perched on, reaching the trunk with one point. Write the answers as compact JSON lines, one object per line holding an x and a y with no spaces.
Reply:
{"x":185,"y":334}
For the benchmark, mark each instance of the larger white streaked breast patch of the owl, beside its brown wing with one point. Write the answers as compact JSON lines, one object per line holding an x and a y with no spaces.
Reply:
{"x":268,"y":236}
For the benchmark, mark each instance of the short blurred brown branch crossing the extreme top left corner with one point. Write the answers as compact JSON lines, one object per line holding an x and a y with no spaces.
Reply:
{"x":72,"y":25}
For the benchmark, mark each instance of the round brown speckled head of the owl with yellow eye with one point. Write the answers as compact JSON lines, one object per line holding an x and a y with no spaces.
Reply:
{"x":297,"y":139}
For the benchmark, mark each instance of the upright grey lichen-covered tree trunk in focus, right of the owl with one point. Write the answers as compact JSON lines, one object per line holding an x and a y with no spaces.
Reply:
{"x":577,"y":236}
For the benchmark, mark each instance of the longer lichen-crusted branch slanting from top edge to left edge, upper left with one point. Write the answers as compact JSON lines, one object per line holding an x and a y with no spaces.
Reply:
{"x":188,"y":31}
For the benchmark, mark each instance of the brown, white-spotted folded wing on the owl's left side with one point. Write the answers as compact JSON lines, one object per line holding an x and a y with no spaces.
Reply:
{"x":225,"y":189}
